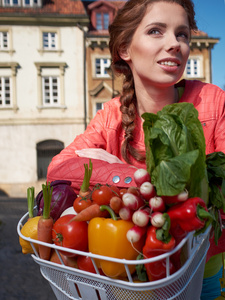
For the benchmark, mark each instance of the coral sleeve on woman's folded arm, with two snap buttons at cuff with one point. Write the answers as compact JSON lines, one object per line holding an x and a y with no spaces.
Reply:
{"x":68,"y":166}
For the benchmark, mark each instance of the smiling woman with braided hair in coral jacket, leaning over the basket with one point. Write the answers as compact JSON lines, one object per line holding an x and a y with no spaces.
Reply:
{"x":149,"y":44}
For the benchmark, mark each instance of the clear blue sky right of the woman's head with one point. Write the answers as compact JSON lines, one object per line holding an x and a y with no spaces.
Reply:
{"x":210,"y":17}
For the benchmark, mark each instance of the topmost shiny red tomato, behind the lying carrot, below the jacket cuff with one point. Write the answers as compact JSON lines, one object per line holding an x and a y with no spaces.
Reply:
{"x":102,"y":195}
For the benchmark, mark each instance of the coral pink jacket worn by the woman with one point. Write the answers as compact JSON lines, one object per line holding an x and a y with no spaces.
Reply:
{"x":105,"y":131}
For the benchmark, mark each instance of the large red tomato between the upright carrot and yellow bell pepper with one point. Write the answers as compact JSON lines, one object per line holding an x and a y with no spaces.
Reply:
{"x":73,"y":235}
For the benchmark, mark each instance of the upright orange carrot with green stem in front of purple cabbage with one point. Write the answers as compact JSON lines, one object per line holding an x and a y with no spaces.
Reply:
{"x":45,"y":223}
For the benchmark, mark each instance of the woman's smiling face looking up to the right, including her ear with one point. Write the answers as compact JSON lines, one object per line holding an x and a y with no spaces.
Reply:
{"x":159,"y":49}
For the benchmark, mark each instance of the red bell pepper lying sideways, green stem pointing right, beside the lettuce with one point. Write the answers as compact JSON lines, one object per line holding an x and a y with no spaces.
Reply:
{"x":189,"y":215}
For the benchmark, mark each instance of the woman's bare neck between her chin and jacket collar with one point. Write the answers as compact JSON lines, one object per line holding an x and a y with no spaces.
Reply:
{"x":155,"y":99}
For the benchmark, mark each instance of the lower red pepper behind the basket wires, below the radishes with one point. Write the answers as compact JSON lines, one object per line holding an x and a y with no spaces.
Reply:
{"x":154,"y":247}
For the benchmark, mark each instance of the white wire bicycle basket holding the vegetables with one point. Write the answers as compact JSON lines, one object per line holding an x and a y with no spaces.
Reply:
{"x":72,"y":283}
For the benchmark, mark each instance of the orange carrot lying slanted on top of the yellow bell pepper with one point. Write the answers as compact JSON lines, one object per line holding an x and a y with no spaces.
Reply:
{"x":92,"y":211}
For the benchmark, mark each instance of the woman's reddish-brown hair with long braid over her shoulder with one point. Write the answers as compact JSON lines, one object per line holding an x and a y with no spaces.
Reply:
{"x":121,"y":32}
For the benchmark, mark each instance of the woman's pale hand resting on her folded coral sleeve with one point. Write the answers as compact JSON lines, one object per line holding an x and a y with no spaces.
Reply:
{"x":100,"y":154}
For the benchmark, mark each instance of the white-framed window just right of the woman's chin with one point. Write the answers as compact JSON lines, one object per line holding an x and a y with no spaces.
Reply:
{"x":195,"y":68}
